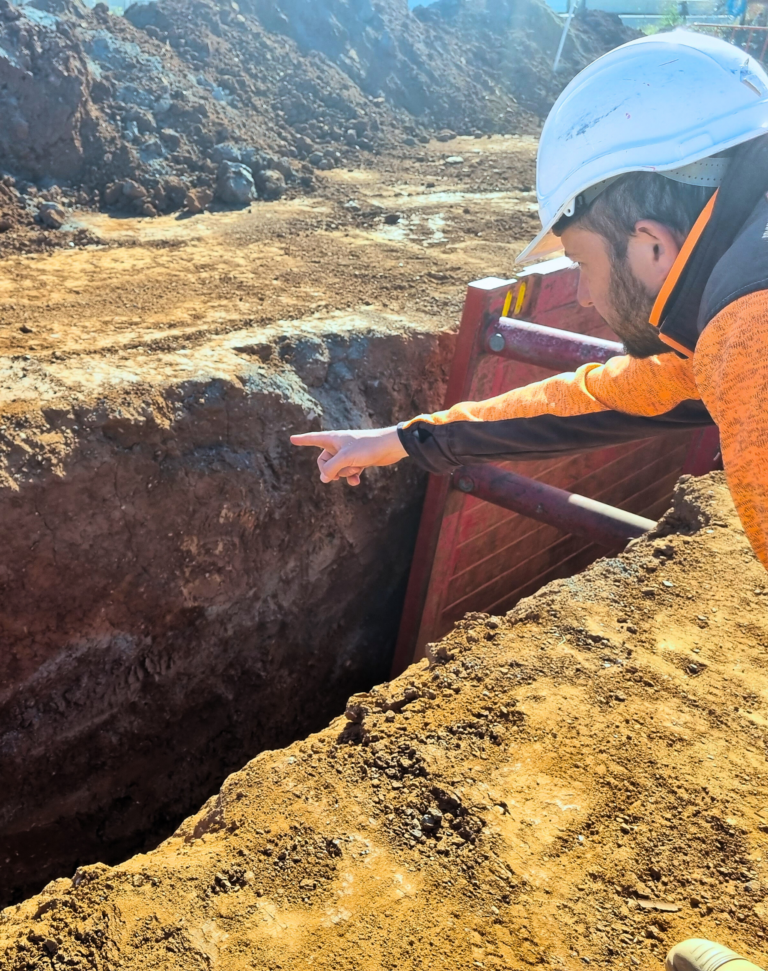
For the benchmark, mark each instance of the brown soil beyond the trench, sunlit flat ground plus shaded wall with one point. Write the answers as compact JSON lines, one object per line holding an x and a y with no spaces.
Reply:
{"x":179,"y":590}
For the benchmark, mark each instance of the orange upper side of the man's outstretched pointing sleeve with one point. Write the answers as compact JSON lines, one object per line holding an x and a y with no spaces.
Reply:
{"x":649,"y":386}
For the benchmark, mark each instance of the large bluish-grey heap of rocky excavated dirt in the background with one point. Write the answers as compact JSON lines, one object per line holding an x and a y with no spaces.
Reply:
{"x":183,"y":104}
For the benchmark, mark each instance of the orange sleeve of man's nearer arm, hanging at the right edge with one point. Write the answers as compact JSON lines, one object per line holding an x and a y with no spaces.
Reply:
{"x":731,"y":368}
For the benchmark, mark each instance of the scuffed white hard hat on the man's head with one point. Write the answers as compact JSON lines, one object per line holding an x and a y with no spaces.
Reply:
{"x":661,"y":104}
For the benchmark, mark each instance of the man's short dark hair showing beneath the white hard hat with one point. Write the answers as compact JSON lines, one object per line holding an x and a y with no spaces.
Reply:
{"x":636,"y":196}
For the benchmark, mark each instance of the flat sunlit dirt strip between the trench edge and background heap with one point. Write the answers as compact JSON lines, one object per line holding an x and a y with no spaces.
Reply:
{"x":402,"y":233}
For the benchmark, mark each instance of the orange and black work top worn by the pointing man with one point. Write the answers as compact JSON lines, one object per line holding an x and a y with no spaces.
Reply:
{"x":713,"y":310}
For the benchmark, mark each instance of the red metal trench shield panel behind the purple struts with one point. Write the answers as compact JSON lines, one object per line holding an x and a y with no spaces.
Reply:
{"x":474,"y":556}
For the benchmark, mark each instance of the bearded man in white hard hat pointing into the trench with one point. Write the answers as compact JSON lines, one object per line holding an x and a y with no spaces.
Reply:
{"x":652,"y":171}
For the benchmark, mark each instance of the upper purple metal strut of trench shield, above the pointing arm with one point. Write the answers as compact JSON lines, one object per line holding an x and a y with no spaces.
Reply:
{"x":547,"y":347}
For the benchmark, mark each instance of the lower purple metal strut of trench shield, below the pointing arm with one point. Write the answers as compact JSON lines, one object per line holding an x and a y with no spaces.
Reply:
{"x":598,"y":522}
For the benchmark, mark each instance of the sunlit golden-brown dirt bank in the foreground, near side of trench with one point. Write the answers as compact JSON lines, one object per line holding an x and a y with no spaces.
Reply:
{"x":581,"y":782}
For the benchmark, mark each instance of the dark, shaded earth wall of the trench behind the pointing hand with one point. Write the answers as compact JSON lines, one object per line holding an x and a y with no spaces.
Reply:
{"x":180,"y":592}
